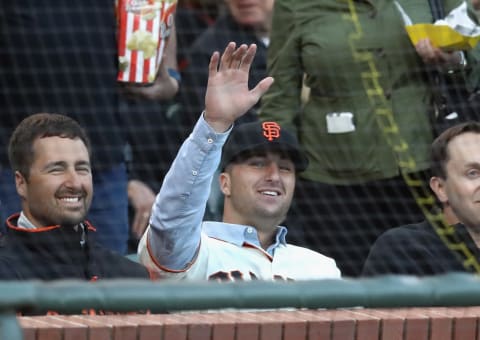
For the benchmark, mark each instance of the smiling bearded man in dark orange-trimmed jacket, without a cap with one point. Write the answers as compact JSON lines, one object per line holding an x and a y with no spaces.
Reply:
{"x":50,"y":238}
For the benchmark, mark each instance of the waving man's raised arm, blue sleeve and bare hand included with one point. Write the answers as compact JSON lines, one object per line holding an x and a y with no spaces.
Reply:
{"x":173,"y":237}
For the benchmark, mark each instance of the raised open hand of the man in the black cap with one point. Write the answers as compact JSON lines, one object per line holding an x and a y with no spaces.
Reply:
{"x":228,"y":96}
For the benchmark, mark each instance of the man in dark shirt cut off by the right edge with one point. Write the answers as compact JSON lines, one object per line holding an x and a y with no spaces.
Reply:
{"x":419,"y":249}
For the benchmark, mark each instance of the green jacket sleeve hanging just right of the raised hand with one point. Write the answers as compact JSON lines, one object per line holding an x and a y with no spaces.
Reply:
{"x":282,"y":102}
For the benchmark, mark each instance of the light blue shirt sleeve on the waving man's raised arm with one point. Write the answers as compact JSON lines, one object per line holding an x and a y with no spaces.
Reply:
{"x":175,"y":224}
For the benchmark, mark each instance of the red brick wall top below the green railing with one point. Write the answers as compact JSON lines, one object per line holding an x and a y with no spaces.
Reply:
{"x":355,"y":324}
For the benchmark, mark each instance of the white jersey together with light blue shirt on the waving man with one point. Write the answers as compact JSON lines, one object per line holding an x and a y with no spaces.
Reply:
{"x":178,"y":245}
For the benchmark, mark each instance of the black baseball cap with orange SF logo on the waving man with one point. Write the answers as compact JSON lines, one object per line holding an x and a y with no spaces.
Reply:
{"x":257,"y":136}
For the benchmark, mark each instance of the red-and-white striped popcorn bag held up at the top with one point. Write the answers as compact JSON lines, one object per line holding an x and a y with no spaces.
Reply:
{"x":143,"y":30}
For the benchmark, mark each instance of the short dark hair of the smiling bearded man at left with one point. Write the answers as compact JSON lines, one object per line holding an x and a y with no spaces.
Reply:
{"x":40,"y":125}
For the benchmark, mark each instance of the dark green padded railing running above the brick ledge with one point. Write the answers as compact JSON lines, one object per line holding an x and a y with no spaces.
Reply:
{"x":70,"y":297}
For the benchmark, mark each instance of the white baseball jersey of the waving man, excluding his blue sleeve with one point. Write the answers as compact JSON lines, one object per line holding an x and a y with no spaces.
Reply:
{"x":223,"y":260}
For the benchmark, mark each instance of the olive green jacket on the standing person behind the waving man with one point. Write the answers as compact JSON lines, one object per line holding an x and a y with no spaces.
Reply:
{"x":357,"y":58}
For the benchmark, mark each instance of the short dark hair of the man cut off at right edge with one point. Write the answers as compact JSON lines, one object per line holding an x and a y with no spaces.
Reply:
{"x":439,"y":150}
